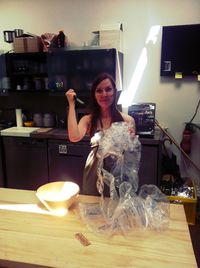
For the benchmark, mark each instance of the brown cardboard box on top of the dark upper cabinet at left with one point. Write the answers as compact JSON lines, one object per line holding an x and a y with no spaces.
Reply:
{"x":27,"y":44}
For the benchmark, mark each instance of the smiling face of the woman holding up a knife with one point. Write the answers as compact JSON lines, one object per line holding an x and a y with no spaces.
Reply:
{"x":105,"y":93}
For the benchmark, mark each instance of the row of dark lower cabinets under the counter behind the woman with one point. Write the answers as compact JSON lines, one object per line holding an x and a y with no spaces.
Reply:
{"x":31,"y":162}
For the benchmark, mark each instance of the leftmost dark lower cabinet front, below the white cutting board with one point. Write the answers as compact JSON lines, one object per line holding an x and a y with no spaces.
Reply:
{"x":26,"y":164}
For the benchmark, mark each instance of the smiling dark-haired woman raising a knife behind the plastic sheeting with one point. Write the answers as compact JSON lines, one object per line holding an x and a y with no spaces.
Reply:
{"x":102,"y":113}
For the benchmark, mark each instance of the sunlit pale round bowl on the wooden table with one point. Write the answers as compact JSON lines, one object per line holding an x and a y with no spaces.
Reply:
{"x":58,"y":196}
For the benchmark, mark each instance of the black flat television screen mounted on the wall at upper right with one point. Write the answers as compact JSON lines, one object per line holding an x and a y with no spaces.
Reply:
{"x":180,"y":50}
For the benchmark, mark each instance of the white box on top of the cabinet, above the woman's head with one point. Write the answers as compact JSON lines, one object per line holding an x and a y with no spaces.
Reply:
{"x":111,"y":36}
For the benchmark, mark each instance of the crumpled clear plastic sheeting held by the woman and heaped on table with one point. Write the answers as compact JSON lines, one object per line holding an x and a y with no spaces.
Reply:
{"x":119,"y":159}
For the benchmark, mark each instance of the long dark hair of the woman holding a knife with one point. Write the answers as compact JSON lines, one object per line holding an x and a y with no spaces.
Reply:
{"x":94,"y":108}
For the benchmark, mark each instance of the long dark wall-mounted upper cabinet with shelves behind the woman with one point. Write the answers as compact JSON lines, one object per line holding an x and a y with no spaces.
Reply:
{"x":36,"y":81}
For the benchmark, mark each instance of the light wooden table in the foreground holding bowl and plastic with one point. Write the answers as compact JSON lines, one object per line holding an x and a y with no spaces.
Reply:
{"x":32,"y":237}
